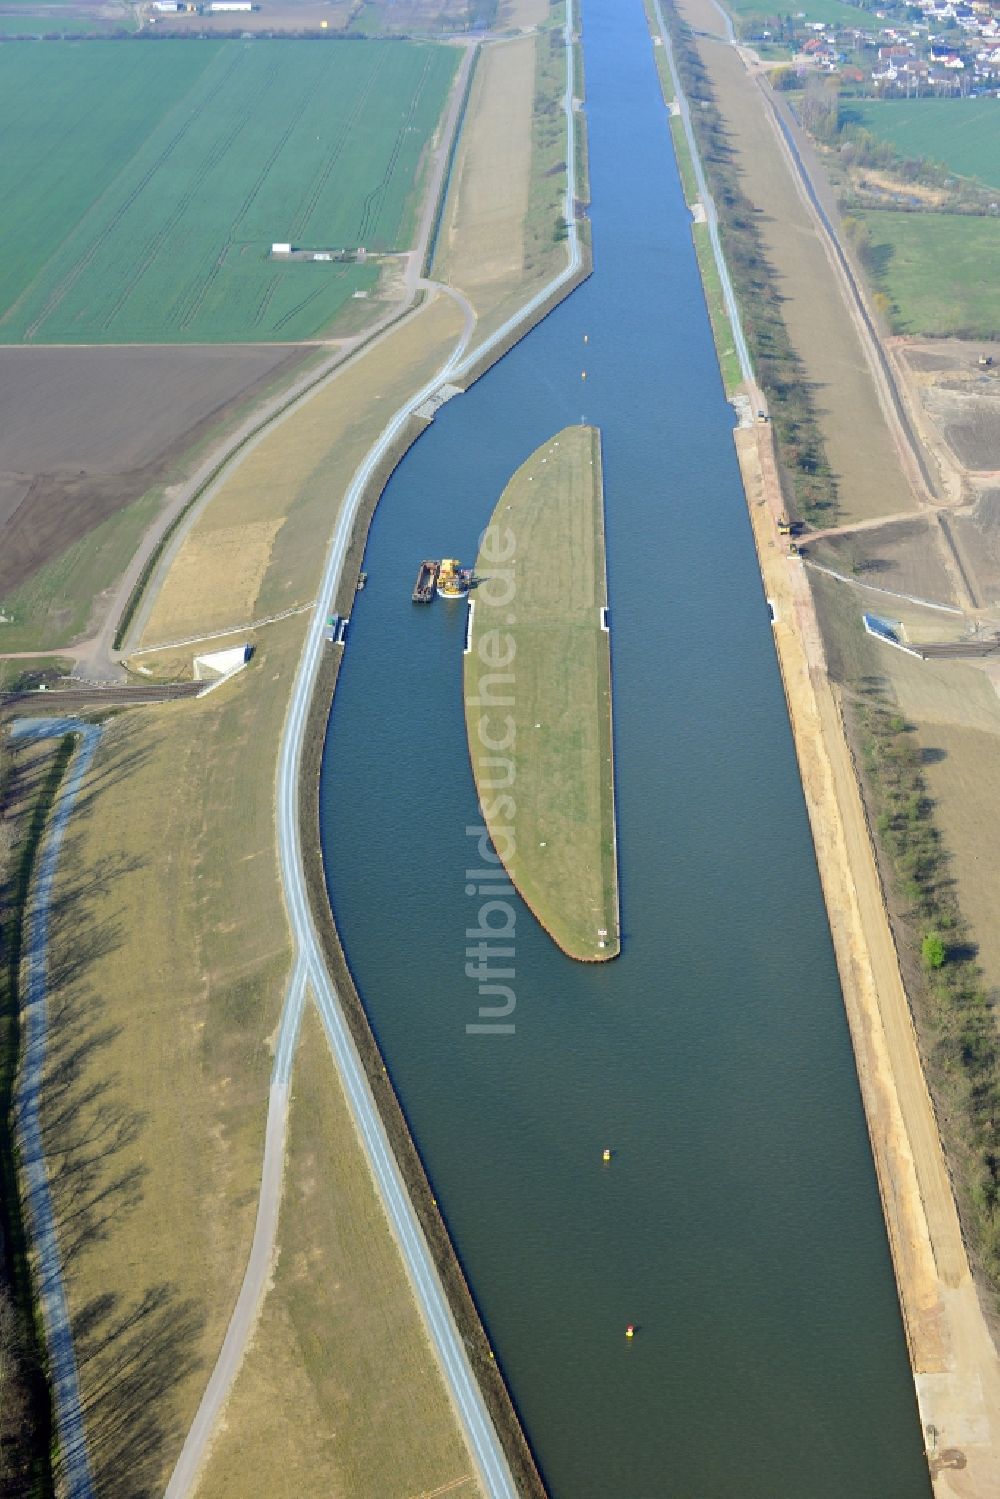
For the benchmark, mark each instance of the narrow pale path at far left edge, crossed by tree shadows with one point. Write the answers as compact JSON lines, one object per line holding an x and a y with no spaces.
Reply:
{"x":77,"y":1482}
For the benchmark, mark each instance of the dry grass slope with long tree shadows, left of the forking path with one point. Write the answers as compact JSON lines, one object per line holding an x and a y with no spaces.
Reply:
{"x":164,"y":1004}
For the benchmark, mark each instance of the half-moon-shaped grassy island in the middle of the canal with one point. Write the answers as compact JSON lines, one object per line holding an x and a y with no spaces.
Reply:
{"x":539,"y":695}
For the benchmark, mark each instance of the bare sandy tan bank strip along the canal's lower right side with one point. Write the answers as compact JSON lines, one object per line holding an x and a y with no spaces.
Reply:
{"x":954,"y":1360}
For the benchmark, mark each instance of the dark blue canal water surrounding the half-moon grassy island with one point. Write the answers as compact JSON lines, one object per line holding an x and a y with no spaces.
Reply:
{"x":738,"y":1225}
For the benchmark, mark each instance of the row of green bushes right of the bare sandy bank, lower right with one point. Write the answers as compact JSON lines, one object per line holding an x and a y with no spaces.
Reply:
{"x":956,"y":1013}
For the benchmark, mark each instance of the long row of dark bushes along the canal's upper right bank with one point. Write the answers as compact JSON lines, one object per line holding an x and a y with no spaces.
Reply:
{"x":780,"y":373}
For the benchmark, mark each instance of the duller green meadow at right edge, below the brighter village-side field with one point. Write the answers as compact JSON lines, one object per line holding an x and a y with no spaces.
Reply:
{"x":941,"y":272}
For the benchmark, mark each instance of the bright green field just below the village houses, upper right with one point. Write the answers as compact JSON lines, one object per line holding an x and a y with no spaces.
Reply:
{"x":960,"y":134}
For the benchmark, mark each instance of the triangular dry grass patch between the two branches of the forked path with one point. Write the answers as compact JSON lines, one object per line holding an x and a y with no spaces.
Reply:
{"x":341,"y":1339}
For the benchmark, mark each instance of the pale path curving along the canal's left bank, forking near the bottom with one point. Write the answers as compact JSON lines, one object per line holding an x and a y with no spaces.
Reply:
{"x":310,"y":972}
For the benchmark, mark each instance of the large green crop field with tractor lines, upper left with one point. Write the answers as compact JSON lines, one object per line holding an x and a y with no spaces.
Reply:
{"x":143,"y":187}
